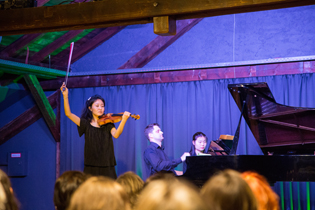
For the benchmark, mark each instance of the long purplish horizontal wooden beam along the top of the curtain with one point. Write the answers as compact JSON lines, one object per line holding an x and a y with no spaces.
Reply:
{"x":183,"y":75}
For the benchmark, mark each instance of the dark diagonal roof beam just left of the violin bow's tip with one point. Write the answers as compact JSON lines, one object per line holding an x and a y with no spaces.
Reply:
{"x":39,"y":56}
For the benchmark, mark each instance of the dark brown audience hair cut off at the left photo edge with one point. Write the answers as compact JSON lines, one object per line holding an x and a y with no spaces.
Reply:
{"x":11,"y":203}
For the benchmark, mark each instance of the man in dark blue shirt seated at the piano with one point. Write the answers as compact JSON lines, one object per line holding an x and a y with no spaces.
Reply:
{"x":154,"y":156}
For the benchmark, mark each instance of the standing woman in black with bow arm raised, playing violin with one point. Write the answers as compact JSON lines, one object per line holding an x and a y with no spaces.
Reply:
{"x":99,"y":158}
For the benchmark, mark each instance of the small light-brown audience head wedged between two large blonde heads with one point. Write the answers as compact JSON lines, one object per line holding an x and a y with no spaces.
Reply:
{"x":132,"y":184}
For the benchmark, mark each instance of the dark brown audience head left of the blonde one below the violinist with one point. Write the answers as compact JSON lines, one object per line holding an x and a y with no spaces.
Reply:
{"x":65,"y":186}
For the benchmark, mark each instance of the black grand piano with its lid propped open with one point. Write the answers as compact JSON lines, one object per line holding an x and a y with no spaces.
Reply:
{"x":286,"y":136}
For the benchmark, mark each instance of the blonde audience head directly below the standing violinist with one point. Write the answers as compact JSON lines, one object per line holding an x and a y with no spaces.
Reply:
{"x":100,"y":193}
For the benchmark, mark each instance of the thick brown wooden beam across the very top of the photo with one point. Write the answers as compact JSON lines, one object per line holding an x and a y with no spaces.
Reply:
{"x":107,"y":13}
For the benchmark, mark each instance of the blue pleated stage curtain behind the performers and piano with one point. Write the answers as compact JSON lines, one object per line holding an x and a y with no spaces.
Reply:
{"x":181,"y":109}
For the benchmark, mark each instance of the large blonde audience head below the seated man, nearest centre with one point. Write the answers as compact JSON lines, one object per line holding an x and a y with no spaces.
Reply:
{"x":168,"y":195}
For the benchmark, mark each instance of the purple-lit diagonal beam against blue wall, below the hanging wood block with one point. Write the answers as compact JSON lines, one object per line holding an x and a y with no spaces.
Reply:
{"x":160,"y":43}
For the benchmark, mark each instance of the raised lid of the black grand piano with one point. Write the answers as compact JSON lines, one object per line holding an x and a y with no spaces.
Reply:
{"x":277,"y":128}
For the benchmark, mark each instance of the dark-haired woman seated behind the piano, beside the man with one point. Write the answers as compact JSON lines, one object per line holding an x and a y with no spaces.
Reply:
{"x":198,"y":146}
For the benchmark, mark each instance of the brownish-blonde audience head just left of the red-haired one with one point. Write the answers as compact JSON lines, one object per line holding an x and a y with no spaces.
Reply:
{"x":228,"y":191}
